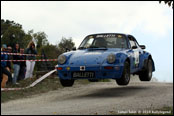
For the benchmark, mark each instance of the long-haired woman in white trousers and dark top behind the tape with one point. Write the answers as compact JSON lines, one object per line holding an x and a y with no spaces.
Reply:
{"x":30,"y":64}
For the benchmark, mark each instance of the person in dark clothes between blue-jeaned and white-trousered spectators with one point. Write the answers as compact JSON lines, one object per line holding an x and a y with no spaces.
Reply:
{"x":22,"y":66}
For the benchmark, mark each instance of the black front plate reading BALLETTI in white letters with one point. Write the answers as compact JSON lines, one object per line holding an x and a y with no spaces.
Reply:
{"x":83,"y":74}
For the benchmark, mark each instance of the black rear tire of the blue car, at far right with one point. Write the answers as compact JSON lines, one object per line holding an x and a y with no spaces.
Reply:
{"x":146,"y":75}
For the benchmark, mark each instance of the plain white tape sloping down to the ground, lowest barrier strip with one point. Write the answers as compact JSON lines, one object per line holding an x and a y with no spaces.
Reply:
{"x":33,"y":84}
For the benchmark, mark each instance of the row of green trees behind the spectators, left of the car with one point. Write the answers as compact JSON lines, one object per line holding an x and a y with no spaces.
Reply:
{"x":12,"y":33}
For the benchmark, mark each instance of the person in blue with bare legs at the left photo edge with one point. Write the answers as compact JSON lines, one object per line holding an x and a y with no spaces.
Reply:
{"x":5,"y":70}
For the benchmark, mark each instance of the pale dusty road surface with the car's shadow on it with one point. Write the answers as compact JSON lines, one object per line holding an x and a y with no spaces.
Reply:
{"x":95,"y":98}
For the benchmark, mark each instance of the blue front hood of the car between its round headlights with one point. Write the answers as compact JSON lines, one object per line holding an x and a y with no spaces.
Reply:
{"x":90,"y":57}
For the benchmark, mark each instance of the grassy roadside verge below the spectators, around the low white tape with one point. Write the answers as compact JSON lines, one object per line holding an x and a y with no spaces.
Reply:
{"x":50,"y":83}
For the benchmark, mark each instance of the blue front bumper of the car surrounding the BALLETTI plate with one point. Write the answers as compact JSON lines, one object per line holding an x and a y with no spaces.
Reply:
{"x":100,"y":72}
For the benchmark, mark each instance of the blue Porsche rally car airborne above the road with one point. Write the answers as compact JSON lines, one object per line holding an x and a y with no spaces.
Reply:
{"x":106,"y":56}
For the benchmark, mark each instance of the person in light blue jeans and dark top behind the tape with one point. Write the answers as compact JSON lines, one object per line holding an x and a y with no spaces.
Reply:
{"x":16,"y":65}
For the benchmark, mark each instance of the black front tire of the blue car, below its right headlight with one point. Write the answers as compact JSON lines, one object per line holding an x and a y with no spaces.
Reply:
{"x":125,"y":78}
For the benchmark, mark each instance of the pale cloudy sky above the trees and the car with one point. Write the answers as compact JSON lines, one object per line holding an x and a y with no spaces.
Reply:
{"x":149,"y":22}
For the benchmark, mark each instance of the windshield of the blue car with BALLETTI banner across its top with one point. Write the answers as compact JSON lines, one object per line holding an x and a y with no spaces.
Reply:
{"x":104,"y":41}
